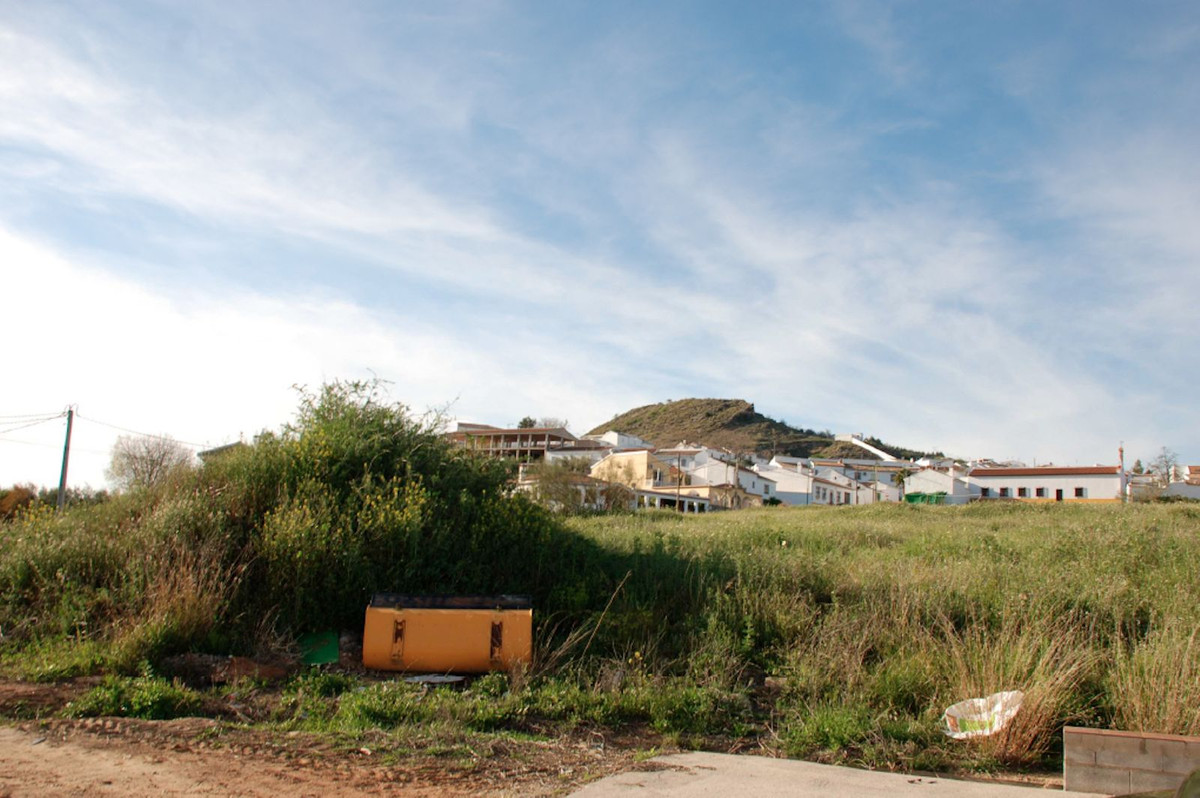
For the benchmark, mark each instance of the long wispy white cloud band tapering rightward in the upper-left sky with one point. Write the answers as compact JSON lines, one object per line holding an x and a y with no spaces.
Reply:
{"x":285,"y":161}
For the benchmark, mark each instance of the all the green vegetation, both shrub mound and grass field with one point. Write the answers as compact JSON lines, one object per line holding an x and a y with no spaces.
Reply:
{"x":831,"y":633}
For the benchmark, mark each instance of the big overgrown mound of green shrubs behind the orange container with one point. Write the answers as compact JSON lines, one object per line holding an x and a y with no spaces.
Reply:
{"x":292,"y":533}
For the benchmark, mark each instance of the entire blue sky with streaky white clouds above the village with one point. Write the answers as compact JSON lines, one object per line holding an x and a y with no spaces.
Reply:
{"x":961,"y":227}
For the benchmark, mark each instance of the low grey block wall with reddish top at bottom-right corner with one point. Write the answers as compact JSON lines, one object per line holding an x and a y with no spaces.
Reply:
{"x":1125,"y":763}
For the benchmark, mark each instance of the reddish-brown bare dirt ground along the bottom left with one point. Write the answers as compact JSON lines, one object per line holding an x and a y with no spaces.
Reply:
{"x":201,"y":757}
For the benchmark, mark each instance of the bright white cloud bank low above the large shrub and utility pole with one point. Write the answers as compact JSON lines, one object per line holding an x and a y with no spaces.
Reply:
{"x":209,"y":364}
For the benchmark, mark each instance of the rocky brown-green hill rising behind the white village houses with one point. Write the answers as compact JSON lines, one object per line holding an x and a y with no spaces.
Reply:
{"x":737,"y":427}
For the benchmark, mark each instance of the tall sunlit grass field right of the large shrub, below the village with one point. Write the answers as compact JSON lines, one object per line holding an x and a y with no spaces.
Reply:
{"x":874,"y":620}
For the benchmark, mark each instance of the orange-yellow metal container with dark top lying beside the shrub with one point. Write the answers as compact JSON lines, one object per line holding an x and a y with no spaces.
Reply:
{"x":447,"y":634}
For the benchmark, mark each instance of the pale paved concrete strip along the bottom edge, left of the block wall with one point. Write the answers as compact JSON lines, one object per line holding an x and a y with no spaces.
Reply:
{"x":724,"y":776}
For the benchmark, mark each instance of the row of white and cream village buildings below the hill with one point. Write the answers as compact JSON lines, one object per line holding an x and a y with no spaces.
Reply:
{"x":619,"y":470}
